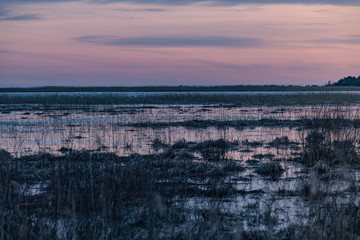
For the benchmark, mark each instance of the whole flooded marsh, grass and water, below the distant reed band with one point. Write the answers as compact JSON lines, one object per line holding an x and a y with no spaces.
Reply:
{"x":180,"y":171}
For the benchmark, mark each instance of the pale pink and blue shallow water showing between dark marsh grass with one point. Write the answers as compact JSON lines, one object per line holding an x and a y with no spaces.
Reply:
{"x":108,"y":128}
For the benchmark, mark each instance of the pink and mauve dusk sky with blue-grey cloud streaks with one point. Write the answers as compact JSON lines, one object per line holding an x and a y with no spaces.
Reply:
{"x":174,"y":42}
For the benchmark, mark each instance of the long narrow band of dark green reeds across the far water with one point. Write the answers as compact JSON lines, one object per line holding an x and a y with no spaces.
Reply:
{"x":108,"y":98}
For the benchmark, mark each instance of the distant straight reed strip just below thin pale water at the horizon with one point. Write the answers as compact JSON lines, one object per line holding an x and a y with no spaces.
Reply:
{"x":245,"y":98}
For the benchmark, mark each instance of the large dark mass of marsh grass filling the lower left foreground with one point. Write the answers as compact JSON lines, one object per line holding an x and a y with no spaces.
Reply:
{"x":135,"y":195}
